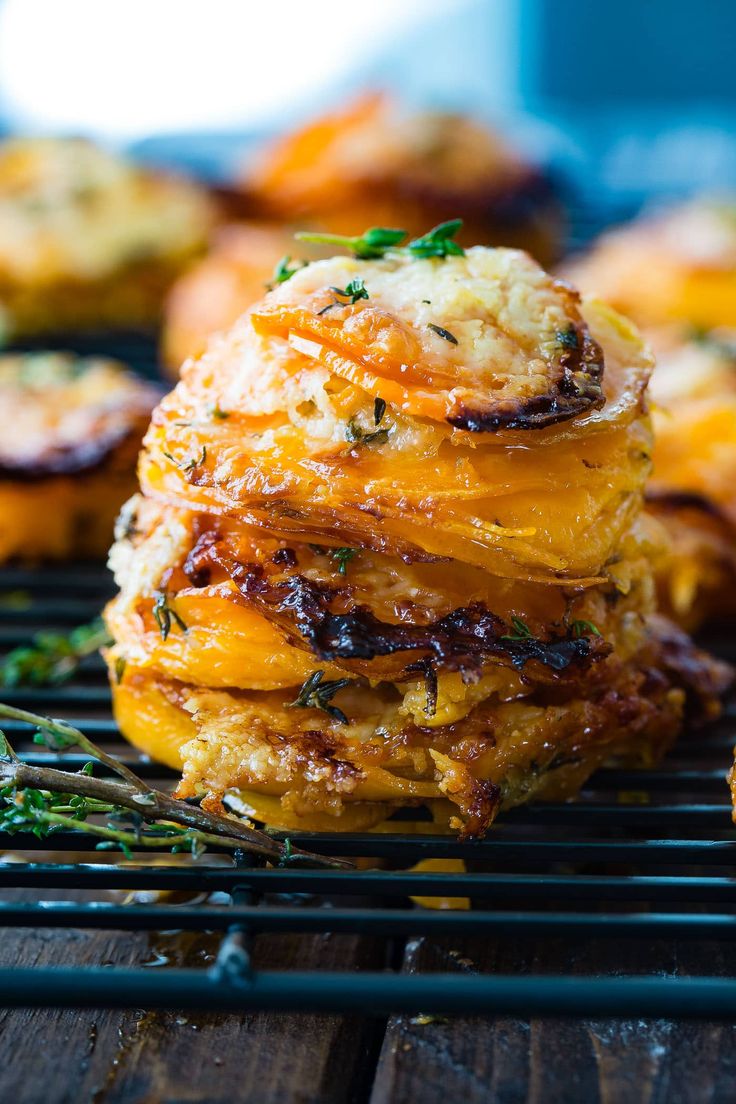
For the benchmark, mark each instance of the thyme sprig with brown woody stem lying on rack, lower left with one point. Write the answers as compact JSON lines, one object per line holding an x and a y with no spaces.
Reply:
{"x":45,"y":801}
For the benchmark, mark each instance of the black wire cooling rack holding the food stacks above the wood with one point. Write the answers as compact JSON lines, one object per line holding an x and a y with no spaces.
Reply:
{"x":642,"y":856}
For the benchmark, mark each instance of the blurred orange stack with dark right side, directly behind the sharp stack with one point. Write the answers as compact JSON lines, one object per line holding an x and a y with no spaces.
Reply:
{"x":372,"y":165}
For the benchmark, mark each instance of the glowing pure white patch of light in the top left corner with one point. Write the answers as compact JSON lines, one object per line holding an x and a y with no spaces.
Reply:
{"x":122,"y":69}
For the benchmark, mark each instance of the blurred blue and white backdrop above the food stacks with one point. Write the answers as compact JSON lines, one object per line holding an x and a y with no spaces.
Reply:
{"x":624,"y":100}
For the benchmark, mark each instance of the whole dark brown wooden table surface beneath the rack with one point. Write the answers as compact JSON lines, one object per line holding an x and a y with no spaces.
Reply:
{"x":72,"y":1057}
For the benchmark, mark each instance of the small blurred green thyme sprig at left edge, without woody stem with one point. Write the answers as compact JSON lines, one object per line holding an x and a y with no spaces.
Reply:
{"x":52,"y":659}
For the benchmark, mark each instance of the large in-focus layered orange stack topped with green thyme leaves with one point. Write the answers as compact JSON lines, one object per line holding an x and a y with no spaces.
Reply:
{"x":390,"y":550}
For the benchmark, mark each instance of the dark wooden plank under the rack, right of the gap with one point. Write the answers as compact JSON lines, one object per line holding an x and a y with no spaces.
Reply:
{"x":543,"y":1061}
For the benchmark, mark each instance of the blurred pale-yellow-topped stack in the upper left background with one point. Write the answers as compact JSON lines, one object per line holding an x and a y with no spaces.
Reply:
{"x":90,"y":240}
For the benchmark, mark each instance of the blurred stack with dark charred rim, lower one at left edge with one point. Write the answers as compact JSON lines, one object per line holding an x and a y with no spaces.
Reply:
{"x":72,"y":430}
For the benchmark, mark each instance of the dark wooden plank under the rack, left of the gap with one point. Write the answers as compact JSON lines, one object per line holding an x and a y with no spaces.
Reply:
{"x":66,"y":1057}
